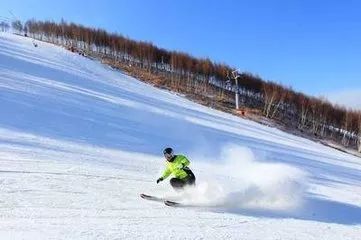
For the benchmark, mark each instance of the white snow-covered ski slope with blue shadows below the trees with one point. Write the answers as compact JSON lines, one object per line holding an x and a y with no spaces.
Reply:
{"x":79,"y":142}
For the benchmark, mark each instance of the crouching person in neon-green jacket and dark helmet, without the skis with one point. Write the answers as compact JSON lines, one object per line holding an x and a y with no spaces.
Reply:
{"x":178,"y":166}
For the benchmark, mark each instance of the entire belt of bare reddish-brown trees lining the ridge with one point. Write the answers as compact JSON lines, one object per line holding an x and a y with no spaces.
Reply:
{"x":201,"y":76}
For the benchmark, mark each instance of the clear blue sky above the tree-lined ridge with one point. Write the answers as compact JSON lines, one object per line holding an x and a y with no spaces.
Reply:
{"x":312,"y":46}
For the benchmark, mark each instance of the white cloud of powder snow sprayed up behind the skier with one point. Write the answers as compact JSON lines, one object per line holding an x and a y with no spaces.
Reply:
{"x":248,"y":183}
